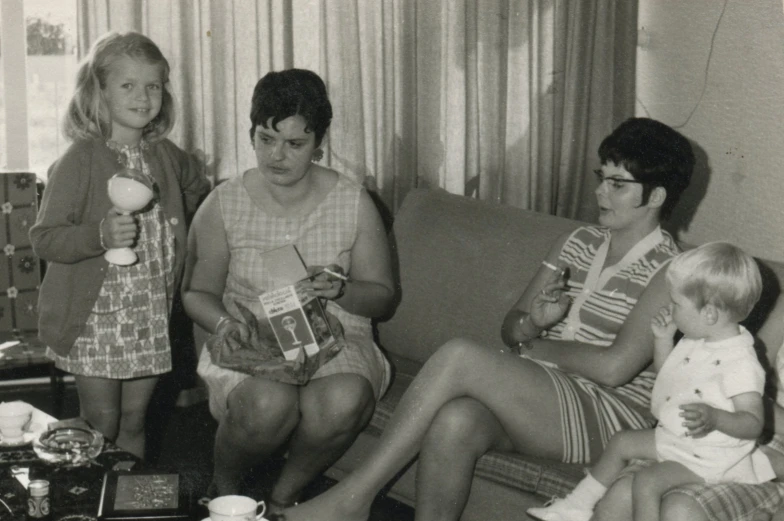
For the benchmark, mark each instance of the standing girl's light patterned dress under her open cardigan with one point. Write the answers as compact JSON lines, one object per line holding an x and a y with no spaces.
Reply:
{"x":127,"y":332}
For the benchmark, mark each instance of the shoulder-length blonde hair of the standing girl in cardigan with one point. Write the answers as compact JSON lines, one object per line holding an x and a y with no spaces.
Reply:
{"x":88,"y":117}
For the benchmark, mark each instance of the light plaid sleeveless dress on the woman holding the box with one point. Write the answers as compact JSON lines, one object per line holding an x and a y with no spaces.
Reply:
{"x":325,"y":236}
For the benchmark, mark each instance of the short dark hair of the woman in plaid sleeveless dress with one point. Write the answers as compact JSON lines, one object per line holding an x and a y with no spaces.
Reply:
{"x":291,"y":92}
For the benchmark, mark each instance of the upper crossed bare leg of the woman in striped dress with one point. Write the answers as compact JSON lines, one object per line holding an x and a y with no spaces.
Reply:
{"x":513,"y":389}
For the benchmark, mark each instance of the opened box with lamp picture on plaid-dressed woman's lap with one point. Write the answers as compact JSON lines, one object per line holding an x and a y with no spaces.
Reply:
{"x":297,"y":319}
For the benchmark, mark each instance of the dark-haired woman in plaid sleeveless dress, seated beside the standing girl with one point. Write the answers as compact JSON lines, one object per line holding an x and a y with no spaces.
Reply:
{"x":332,"y":221}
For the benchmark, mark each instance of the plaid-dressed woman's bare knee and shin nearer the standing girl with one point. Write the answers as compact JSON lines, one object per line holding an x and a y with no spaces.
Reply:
{"x":261,"y":416}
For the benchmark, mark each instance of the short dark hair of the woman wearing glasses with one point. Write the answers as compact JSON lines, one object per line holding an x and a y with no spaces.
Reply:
{"x":654,"y":154}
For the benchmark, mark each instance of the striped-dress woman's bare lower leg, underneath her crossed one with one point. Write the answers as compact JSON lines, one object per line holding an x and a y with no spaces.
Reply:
{"x":462,"y":431}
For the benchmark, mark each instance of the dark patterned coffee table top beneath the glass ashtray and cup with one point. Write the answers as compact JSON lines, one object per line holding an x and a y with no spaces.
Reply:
{"x":74,"y":491}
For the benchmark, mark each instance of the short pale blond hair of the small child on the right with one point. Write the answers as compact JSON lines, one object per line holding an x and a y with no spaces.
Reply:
{"x":717,"y":273}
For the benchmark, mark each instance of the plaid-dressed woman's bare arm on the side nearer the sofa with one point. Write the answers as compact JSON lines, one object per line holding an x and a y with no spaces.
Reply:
{"x":370,"y":291}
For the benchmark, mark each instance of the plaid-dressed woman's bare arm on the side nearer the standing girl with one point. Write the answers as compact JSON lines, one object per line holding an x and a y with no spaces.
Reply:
{"x":206,"y":266}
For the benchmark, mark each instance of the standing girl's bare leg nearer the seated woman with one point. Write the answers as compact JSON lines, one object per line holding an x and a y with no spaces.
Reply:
{"x":136,"y":395}
